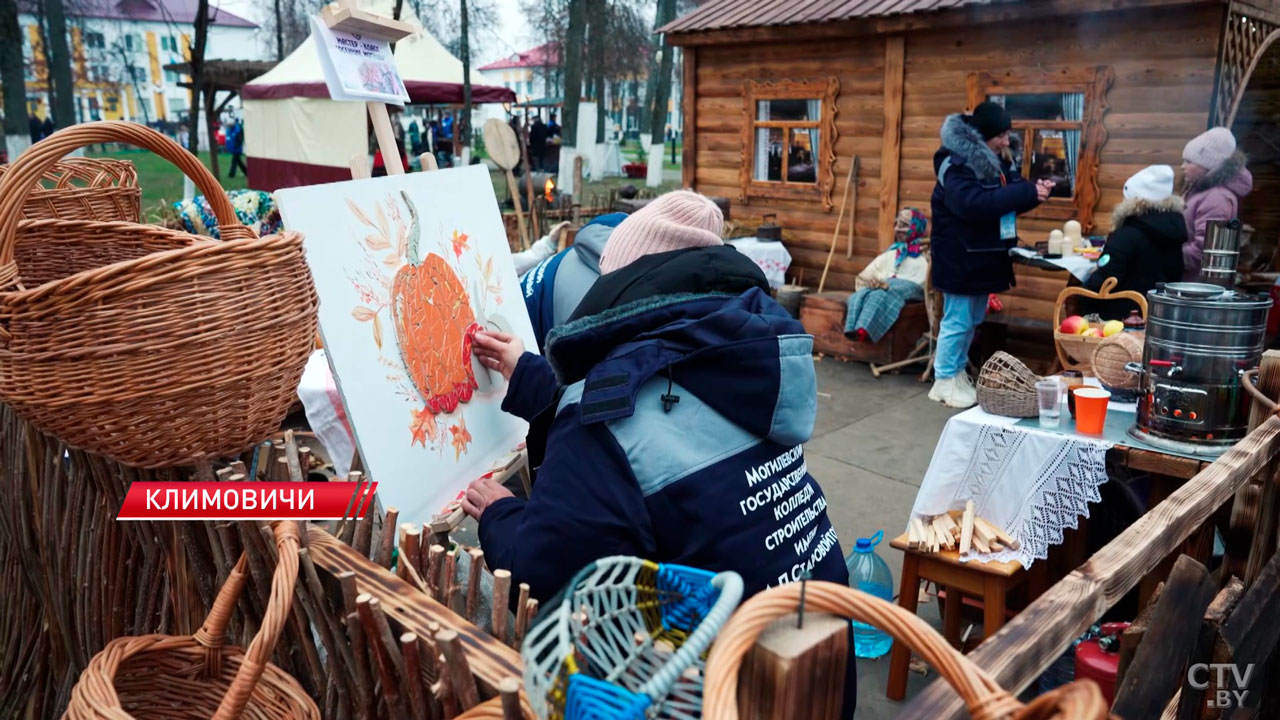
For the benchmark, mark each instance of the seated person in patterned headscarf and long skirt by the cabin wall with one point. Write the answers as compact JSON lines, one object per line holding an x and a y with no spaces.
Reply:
{"x":894,"y":279}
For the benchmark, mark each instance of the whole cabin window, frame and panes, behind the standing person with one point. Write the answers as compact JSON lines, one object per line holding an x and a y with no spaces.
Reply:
{"x":1058,"y":131}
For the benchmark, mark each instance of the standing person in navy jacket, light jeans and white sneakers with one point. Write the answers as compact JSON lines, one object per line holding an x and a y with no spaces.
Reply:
{"x":976,"y":203}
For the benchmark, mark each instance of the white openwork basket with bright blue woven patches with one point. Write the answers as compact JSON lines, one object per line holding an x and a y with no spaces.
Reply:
{"x":597,"y":654}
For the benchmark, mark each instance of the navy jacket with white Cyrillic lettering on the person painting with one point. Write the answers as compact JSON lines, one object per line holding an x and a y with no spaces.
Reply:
{"x":716,"y":480}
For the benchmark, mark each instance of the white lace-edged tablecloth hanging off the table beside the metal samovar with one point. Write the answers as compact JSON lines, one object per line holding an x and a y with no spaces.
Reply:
{"x":1031,"y":484}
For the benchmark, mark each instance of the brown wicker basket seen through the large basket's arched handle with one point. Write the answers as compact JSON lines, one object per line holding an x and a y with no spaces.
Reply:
{"x":85,"y":189}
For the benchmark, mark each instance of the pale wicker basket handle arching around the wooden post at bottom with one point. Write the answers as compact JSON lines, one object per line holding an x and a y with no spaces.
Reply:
{"x":1081,"y":700}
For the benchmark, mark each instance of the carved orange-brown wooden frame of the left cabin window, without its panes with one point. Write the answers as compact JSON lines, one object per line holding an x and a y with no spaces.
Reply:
{"x":826,"y":92}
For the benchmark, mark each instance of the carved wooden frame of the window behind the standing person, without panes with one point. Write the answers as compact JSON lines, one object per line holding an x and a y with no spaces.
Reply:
{"x":1094,"y":83}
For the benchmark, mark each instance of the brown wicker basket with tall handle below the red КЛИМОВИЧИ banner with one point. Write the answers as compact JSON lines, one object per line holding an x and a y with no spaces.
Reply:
{"x":196,"y":677}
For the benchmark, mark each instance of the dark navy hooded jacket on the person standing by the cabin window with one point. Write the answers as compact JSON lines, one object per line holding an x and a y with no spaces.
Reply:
{"x":972,"y":194}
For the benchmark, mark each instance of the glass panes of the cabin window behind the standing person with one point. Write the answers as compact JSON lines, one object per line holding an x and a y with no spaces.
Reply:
{"x":1048,"y":129}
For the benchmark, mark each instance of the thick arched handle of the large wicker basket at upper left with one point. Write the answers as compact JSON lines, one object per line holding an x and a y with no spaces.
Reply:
{"x":17,"y":184}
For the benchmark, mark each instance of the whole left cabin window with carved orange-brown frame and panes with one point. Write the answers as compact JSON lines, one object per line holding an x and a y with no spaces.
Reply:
{"x":789,"y":136}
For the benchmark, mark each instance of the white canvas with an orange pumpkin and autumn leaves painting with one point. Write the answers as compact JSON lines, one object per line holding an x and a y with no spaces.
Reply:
{"x":409,"y":268}
